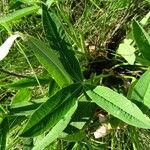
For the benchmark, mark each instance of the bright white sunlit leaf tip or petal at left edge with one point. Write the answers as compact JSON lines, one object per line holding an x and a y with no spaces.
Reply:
{"x":5,"y":47}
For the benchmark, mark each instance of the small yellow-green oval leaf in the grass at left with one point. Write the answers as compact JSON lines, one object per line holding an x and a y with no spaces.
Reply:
{"x":23,"y":95}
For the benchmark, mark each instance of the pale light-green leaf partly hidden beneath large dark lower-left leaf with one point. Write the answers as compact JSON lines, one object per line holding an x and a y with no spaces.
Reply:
{"x":57,"y":129}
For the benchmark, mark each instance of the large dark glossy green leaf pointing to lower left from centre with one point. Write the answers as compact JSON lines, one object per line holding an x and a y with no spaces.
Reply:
{"x":50,"y":112}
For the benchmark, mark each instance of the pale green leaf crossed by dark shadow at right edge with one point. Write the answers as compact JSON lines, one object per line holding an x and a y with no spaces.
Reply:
{"x":141,"y":91}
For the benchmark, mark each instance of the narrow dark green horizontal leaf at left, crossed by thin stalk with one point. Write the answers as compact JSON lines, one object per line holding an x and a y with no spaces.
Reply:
{"x":23,"y":83}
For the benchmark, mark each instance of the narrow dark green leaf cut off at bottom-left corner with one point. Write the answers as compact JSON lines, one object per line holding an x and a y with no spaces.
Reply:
{"x":4,"y":128}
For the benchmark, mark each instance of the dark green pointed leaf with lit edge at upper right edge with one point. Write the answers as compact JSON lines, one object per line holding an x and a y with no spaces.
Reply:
{"x":142,"y":39}
